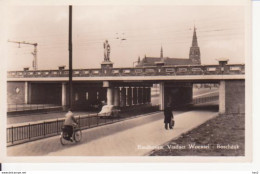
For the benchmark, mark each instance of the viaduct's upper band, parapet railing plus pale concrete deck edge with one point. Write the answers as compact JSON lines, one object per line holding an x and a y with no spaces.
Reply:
{"x":153,"y":73}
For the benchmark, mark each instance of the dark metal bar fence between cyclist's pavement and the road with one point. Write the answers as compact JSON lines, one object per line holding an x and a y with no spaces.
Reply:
{"x":29,"y":132}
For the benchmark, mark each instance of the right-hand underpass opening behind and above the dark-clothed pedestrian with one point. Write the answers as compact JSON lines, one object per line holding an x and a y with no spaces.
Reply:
{"x":186,"y":95}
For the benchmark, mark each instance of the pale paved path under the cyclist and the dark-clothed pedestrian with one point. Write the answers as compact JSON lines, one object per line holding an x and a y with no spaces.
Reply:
{"x":133,"y":137}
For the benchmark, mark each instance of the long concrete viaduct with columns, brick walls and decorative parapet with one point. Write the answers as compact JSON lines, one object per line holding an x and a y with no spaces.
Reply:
{"x":128,"y":86}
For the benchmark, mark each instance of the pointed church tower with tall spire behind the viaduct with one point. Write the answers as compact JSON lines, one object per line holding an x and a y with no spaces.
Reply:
{"x":195,"y":50}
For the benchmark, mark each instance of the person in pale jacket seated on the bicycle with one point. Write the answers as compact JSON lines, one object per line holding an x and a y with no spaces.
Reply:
{"x":69,"y":122}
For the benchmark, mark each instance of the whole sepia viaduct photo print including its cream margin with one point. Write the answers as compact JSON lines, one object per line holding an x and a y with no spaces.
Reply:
{"x":160,"y":81}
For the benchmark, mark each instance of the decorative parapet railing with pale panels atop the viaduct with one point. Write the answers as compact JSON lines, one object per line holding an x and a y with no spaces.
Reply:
{"x":229,"y":69}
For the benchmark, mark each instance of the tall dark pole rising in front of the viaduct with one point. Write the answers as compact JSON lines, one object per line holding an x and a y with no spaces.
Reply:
{"x":70,"y":56}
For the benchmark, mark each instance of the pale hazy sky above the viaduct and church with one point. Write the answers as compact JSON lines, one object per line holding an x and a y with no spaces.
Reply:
{"x":145,"y":28}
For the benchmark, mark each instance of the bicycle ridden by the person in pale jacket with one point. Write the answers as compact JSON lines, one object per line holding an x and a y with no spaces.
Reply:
{"x":76,"y":135}
